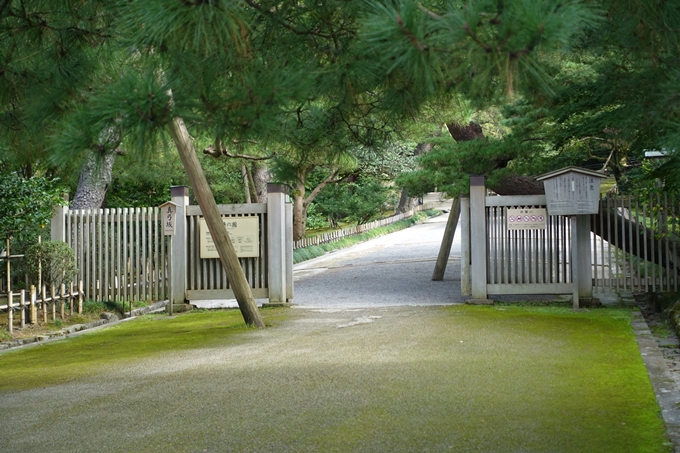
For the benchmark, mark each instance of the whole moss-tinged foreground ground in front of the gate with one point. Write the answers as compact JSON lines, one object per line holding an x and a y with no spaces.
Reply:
{"x":461,"y":379}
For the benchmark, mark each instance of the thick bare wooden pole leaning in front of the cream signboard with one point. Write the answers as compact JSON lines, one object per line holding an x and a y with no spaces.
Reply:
{"x":206,"y":201}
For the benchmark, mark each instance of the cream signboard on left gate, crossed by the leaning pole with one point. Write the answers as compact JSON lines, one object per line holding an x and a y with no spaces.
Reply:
{"x":244,"y":233}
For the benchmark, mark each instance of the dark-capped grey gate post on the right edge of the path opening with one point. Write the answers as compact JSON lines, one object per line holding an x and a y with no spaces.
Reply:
{"x":478,"y":249}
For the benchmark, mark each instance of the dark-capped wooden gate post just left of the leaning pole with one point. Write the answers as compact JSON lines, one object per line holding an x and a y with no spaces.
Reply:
{"x":178,"y":255}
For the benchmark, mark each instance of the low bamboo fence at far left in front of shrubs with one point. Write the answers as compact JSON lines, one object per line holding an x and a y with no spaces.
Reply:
{"x":33,"y":302}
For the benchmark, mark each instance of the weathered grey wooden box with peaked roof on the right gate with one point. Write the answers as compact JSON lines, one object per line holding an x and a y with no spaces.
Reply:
{"x":572,"y":191}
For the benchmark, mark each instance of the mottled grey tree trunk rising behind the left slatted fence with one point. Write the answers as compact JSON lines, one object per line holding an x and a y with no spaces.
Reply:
{"x":94,"y":180}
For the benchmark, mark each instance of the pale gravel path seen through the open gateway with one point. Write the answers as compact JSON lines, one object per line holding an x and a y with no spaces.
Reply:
{"x":392,"y":270}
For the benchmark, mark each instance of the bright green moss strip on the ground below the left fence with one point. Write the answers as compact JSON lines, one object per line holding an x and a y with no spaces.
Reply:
{"x":91,"y":352}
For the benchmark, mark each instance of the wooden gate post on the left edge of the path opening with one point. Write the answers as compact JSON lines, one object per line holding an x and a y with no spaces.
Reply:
{"x":277,"y":195}
